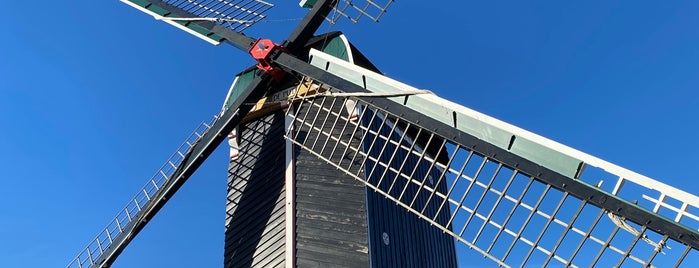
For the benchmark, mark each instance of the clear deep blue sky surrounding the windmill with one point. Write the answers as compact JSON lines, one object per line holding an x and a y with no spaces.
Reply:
{"x":94,"y":96}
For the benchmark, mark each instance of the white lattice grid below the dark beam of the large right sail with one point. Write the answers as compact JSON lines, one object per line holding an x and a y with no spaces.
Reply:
{"x":510,"y":217}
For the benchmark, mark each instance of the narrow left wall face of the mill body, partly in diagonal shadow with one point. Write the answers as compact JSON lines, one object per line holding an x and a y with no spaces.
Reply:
{"x":255,"y":207}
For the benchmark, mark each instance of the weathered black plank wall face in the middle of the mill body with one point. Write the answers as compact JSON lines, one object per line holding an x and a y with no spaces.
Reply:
{"x":331,"y":223}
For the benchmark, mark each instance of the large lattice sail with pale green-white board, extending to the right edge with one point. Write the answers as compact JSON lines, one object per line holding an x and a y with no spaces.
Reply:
{"x":515,"y":197}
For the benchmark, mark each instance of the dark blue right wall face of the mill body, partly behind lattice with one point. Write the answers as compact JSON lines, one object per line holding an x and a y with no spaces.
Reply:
{"x":399,"y":238}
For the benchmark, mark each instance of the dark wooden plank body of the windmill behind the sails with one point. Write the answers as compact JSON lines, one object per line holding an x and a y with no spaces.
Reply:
{"x":280,"y":194}
